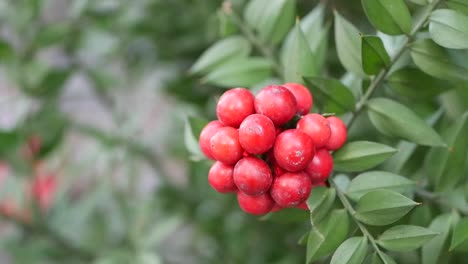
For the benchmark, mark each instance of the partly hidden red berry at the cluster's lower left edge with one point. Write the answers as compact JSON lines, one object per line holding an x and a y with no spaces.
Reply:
{"x":220,"y":178}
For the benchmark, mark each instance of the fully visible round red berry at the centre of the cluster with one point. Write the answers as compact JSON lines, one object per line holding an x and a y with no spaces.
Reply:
{"x":257,"y":134}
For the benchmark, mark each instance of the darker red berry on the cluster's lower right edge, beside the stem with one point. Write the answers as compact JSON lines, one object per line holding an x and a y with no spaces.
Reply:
{"x":320,"y":167}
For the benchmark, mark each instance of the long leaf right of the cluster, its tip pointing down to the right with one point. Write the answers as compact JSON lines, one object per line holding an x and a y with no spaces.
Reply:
{"x":396,"y":120}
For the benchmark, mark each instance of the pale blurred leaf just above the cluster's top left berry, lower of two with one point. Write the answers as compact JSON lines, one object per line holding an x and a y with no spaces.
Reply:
{"x":240,"y":73}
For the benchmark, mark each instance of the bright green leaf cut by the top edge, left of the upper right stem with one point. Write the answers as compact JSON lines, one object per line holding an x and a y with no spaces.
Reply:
{"x":392,"y":17}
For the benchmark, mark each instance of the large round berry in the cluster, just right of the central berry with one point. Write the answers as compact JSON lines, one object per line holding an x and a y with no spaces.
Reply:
{"x":293,"y":150}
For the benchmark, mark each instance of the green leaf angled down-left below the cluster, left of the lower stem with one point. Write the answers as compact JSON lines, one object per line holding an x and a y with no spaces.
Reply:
{"x":327,"y":235}
